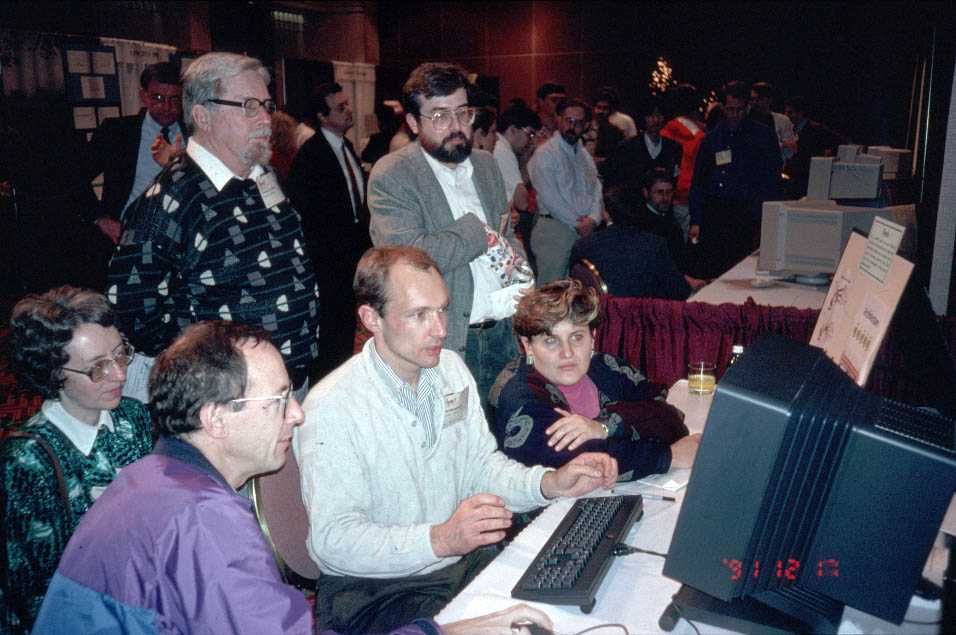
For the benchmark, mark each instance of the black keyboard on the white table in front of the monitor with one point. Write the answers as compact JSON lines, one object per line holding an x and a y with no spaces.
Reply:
{"x":571,"y":565}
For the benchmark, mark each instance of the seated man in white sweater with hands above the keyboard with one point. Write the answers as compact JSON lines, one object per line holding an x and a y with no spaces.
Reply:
{"x":401,"y":476}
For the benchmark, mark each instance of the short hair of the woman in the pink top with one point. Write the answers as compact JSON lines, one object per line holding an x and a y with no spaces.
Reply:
{"x":539,"y":310}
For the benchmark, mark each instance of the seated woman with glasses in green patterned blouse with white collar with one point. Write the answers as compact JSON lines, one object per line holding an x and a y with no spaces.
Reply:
{"x":65,"y":346}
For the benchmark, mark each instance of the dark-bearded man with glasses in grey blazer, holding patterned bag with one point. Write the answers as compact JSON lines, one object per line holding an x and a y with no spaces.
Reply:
{"x":441,"y":196}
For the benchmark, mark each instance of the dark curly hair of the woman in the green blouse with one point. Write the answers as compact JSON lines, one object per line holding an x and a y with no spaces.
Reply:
{"x":42,"y":326}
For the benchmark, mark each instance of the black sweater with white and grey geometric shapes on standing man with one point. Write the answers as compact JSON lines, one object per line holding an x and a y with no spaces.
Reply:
{"x":191,"y":252}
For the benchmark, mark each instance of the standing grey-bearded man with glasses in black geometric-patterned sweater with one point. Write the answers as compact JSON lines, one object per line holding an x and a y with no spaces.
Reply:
{"x":215,"y":237}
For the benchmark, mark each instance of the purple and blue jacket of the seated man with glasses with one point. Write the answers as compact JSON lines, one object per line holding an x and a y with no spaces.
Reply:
{"x":170,"y":547}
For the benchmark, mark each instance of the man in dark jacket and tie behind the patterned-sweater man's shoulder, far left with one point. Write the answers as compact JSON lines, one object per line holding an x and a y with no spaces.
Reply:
{"x":131,"y":151}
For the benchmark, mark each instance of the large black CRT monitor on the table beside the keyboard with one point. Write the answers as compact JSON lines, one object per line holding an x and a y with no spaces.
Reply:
{"x":809,"y":494}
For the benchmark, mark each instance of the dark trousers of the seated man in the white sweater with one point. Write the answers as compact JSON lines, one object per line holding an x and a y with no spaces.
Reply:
{"x":361,"y":606}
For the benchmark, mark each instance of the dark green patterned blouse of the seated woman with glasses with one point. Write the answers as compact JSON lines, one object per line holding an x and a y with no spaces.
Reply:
{"x":37,"y":527}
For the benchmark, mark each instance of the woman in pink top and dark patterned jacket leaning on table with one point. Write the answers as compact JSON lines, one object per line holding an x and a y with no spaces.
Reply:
{"x":566,"y":399}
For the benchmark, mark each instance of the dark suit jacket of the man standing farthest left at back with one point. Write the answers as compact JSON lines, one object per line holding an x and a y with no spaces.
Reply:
{"x":114,"y":150}
